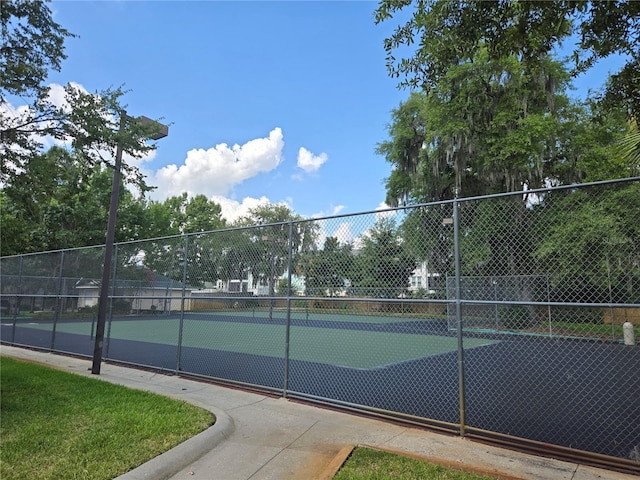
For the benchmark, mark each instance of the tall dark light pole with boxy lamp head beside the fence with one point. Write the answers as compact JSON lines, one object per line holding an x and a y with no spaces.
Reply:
{"x":161,"y":132}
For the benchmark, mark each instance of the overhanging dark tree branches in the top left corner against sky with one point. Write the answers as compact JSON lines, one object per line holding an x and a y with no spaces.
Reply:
{"x":93,"y":123}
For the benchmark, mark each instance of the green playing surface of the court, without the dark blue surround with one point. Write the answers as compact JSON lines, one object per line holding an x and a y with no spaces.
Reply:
{"x":335,"y":346}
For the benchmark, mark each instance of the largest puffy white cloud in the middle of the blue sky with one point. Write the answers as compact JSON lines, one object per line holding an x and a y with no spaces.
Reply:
{"x":217,"y":170}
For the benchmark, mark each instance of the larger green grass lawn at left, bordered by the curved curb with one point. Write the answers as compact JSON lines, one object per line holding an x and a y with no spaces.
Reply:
{"x":57,"y":425}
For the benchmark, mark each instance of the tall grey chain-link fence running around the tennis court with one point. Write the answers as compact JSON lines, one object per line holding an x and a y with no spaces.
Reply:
{"x":509,"y":317}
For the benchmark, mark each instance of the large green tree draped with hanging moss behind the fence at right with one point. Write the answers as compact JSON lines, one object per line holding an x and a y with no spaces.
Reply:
{"x":483,"y":129}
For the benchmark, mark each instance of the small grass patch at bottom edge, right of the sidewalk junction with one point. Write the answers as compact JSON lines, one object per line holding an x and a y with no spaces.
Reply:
{"x":369,"y":464}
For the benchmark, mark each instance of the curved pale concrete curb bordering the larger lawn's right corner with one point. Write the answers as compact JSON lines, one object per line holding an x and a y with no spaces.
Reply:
{"x":169,"y":463}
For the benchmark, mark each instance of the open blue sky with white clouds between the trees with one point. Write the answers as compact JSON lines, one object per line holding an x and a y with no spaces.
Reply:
{"x":267,"y":101}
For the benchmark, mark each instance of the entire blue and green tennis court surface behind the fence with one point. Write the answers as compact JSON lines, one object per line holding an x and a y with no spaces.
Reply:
{"x":543,"y":389}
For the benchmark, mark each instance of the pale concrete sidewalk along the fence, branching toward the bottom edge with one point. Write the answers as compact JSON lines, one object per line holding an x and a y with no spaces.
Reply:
{"x":259,"y":437}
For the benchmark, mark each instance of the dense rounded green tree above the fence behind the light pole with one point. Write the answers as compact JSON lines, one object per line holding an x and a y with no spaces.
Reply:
{"x":62,"y":202}
